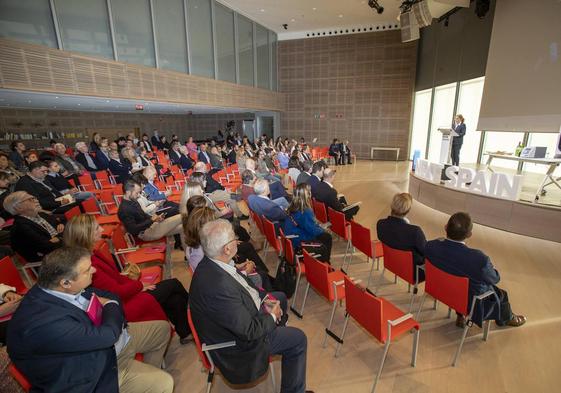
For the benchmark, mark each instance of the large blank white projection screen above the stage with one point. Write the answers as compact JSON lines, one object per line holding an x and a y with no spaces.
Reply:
{"x":523,"y":77}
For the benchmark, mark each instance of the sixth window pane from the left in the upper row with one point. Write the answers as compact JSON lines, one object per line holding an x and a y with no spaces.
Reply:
{"x":225,"y":50}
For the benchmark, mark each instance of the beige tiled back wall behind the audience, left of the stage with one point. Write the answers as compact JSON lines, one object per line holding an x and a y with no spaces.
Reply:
{"x":360,"y":86}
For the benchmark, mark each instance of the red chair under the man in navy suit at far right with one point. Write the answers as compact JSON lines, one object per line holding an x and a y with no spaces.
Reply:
{"x":453,"y":291}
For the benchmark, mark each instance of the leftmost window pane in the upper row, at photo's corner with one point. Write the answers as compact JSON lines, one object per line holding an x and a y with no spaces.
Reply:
{"x":29,"y":21}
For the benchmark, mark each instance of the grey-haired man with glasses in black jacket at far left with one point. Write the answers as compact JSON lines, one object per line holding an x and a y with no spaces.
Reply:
{"x":34,"y":233}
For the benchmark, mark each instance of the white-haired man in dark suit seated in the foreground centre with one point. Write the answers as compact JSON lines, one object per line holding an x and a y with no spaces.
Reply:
{"x":225,"y":306}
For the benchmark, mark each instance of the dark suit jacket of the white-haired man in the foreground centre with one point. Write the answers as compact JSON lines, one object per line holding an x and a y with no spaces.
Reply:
{"x":222,"y":310}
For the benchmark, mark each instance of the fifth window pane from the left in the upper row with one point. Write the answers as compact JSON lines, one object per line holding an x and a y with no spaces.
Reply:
{"x":200,"y":38}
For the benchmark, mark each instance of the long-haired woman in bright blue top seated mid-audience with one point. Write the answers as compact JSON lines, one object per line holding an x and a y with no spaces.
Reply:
{"x":302,"y":223}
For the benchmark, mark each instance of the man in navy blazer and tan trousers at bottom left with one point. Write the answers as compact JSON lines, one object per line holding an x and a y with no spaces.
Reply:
{"x":55,"y":344}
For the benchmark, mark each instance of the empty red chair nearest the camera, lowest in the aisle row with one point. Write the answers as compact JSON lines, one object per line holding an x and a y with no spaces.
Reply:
{"x":380,"y":318}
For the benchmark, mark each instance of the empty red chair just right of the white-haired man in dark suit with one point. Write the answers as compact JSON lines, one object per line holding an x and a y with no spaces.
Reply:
{"x":328,"y":283}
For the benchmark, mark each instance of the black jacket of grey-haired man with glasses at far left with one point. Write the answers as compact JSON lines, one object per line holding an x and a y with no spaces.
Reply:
{"x":31,"y":240}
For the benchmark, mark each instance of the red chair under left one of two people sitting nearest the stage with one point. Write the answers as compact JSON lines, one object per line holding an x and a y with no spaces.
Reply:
{"x":400,"y":263}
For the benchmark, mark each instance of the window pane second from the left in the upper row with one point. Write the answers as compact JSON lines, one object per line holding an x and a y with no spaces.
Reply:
{"x":84,"y":27}
